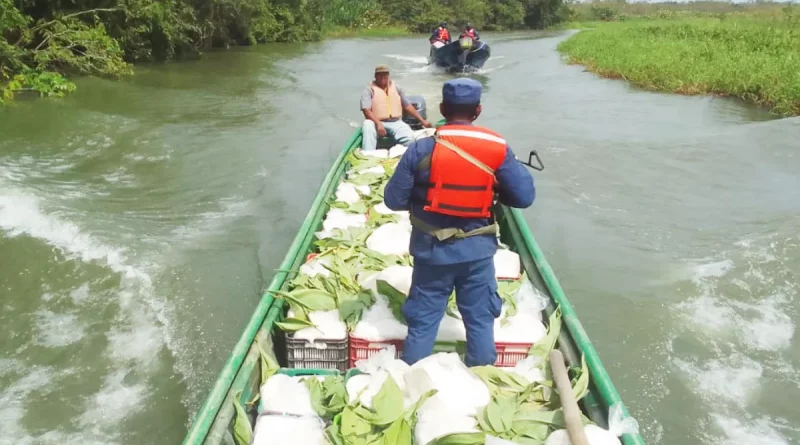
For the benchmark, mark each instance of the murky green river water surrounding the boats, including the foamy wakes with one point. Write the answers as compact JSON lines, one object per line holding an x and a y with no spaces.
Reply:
{"x":140,"y":218}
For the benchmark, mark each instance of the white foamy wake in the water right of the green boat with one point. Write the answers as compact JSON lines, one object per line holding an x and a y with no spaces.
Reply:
{"x":742,"y":315}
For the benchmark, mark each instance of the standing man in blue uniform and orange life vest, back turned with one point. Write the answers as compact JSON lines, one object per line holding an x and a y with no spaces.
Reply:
{"x":449,"y":183}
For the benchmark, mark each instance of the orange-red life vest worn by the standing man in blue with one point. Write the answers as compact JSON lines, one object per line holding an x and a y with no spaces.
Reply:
{"x":457,"y":186}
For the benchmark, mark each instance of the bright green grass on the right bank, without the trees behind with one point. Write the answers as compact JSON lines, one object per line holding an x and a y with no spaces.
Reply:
{"x":748,"y":58}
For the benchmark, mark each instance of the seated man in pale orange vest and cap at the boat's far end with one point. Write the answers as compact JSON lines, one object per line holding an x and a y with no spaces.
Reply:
{"x":382,"y":103}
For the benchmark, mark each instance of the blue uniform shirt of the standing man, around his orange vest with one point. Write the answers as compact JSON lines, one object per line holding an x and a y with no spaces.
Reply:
{"x":515,"y":189}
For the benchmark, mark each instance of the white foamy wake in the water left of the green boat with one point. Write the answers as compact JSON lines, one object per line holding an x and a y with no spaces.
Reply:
{"x":135,"y":339}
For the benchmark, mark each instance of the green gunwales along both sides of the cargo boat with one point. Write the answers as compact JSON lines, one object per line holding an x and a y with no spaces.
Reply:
{"x":239,"y":376}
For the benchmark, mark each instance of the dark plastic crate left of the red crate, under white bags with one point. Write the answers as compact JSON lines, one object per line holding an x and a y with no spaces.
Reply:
{"x":319,"y":354}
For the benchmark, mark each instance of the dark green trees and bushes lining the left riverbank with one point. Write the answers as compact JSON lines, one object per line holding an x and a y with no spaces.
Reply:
{"x":44,"y":42}
